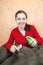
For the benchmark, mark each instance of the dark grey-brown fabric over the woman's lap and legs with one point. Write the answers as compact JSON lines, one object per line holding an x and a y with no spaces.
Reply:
{"x":25,"y":56}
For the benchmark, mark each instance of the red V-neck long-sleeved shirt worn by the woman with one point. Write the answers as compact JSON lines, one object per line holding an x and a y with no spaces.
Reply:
{"x":20,"y":39}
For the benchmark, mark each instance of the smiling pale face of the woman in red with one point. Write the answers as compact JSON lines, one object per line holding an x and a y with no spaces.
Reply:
{"x":21,"y":20}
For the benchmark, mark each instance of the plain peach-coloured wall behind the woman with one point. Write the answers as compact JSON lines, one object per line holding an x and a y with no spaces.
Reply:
{"x":34,"y":9}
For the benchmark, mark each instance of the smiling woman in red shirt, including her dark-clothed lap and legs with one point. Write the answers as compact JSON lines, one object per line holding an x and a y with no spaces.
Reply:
{"x":18,"y":35}
